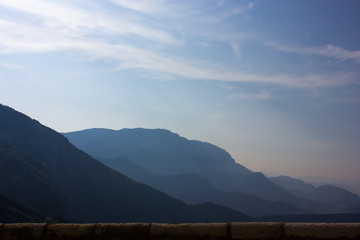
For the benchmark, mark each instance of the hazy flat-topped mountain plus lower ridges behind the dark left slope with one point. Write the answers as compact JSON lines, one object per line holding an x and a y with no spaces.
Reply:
{"x":164,"y":159}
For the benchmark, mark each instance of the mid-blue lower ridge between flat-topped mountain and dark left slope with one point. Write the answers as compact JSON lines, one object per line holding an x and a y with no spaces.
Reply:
{"x":193,"y":189}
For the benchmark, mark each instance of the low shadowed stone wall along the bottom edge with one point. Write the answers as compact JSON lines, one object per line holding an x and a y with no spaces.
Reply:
{"x":191,"y":231}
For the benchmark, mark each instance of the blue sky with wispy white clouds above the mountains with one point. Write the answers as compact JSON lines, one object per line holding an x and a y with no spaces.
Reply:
{"x":275,"y":83}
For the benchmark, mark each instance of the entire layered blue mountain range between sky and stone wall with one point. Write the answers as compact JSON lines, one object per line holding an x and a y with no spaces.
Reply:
{"x":141,"y":175}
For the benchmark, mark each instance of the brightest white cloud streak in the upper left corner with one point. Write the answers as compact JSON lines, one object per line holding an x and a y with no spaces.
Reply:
{"x":71,"y":21}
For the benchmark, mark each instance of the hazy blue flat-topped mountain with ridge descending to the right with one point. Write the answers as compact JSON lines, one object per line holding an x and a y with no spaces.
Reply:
{"x":163,"y":152}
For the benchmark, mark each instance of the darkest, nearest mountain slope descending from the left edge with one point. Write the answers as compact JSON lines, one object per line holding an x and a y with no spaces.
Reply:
{"x":93,"y":192}
